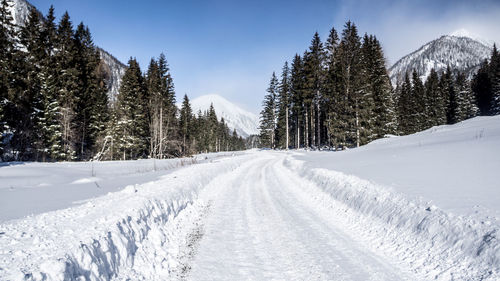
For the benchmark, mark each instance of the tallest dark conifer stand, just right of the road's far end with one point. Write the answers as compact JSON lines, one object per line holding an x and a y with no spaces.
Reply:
{"x":336,"y":94}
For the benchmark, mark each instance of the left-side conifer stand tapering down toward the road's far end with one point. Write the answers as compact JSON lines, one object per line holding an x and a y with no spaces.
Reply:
{"x":145,"y":121}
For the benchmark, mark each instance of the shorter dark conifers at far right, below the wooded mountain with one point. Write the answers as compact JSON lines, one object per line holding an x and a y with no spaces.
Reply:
{"x":448,"y":98}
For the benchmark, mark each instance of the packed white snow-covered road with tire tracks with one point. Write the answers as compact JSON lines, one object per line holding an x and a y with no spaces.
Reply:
{"x":263,"y":227}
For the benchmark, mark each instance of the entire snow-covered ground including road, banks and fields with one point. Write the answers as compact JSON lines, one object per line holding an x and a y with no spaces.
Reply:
{"x":419,"y":207}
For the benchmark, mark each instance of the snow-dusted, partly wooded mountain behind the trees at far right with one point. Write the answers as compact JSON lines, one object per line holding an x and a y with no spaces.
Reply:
{"x":459,"y":50}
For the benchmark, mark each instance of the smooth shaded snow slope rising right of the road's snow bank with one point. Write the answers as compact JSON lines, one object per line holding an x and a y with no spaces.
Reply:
{"x":454,"y":166}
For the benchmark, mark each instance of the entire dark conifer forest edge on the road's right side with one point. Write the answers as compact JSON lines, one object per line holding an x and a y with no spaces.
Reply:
{"x":338,"y":94}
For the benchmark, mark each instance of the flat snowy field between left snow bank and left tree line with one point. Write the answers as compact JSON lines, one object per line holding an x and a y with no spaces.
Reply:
{"x":32,"y":188}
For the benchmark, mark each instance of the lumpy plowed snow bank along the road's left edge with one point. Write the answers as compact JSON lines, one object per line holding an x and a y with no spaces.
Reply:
{"x":111,"y":235}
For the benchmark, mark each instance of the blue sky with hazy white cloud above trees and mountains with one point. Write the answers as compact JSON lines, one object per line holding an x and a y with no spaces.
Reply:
{"x":231,"y":47}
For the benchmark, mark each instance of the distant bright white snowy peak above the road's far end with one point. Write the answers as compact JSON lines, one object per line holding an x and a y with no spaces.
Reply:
{"x":245,"y":123}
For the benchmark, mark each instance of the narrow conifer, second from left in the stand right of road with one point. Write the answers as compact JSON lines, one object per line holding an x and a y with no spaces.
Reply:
{"x":282,"y":134}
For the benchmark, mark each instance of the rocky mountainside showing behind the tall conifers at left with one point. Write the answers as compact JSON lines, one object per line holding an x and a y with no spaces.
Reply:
{"x":115,"y":69}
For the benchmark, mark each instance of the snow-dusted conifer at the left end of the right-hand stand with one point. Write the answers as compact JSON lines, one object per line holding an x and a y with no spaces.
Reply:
{"x":268,"y":115}
